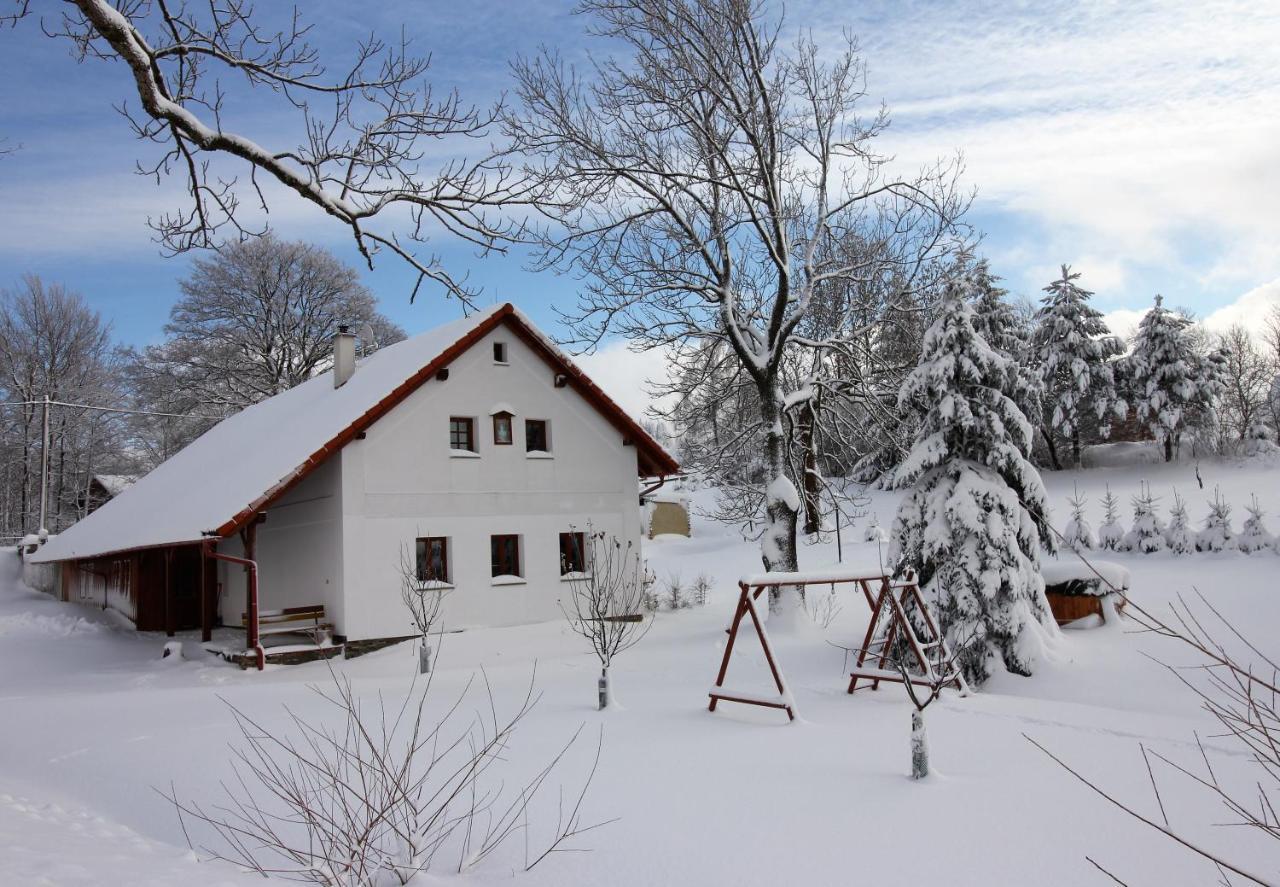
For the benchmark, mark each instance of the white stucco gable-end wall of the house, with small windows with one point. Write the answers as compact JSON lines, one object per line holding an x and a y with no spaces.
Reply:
{"x":403,"y":482}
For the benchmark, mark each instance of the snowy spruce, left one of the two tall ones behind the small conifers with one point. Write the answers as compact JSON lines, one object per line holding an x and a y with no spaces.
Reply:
{"x":1075,"y":349}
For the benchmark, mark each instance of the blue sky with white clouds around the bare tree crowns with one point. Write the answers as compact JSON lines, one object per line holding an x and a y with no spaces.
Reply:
{"x":1137,"y":141}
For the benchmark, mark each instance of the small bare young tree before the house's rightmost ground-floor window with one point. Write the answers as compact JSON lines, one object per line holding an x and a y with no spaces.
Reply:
{"x":607,"y":605}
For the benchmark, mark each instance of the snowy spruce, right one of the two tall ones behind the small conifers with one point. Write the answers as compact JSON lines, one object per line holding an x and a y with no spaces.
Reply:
{"x":1168,"y":380}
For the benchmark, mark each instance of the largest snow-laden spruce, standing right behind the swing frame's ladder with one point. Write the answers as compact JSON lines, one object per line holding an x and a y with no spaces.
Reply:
{"x":975,"y":522}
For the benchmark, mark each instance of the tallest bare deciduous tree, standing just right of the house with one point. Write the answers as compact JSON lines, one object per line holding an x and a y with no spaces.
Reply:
{"x":701,"y":188}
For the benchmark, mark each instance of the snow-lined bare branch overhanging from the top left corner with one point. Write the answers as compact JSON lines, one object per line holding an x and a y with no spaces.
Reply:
{"x":362,"y":141}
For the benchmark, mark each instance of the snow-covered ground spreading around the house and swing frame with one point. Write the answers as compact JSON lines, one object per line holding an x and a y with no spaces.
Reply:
{"x":95,"y":724}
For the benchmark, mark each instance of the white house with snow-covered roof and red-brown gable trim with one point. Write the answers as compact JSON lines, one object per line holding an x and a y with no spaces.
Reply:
{"x":477,"y":450}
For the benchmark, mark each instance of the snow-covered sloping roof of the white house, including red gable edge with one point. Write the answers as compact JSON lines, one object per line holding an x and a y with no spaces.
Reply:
{"x":236,"y":468}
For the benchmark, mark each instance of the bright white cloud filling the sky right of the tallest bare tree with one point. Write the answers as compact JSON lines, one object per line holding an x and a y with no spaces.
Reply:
{"x":1140,"y":135}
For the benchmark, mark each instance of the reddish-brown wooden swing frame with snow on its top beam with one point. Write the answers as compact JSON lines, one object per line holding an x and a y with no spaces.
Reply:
{"x":893,"y":596}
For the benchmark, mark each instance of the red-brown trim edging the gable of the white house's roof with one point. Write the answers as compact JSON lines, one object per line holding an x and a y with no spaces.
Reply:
{"x":652,"y":456}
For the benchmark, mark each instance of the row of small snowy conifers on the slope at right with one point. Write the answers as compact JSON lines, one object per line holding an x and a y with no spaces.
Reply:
{"x":1150,"y":534}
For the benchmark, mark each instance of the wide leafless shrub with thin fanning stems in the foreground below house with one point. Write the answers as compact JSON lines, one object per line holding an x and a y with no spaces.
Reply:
{"x":381,"y":797}
